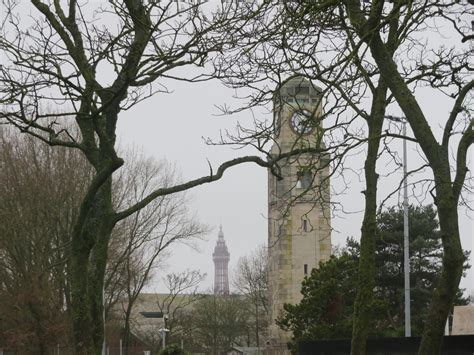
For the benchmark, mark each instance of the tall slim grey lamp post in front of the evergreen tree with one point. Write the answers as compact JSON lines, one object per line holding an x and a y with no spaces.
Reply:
{"x":406,"y":241}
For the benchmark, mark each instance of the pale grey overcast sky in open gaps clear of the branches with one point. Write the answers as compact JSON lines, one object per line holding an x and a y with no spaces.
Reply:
{"x":172,"y":126}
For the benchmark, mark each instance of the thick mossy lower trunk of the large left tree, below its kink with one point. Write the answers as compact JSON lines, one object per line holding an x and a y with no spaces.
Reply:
{"x":88,"y":261}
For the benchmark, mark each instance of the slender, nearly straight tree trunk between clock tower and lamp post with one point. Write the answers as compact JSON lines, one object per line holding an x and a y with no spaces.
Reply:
{"x":366,"y":283}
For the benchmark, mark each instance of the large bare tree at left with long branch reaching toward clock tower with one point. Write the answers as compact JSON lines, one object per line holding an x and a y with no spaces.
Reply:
{"x":57,"y":59}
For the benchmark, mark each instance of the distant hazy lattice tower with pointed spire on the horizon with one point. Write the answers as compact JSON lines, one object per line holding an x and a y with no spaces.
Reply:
{"x":221,"y":258}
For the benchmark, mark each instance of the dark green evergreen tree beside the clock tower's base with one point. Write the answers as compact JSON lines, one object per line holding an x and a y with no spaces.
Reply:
{"x":329,"y":293}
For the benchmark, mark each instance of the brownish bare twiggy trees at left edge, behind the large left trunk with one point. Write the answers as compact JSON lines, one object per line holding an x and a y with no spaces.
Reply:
{"x":40,"y":190}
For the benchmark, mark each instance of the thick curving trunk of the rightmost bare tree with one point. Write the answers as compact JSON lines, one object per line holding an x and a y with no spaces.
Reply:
{"x":445,"y":201}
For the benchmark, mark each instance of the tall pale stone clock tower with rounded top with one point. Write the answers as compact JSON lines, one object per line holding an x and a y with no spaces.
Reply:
{"x":299,"y":234}
